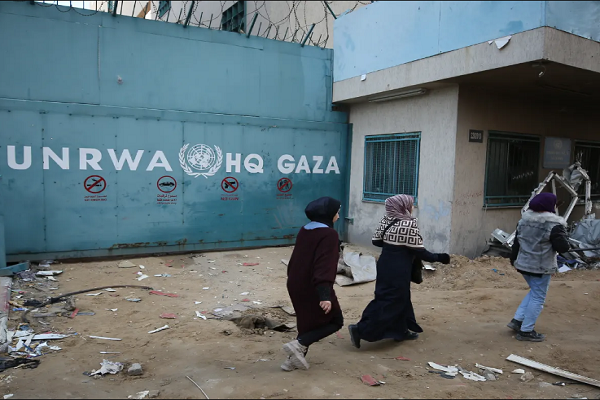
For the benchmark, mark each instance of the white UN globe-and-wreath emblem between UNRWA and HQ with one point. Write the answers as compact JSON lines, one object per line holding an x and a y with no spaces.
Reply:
{"x":200,"y":160}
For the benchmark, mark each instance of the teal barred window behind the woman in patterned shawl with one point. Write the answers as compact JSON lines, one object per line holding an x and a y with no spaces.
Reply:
{"x":391,"y":165}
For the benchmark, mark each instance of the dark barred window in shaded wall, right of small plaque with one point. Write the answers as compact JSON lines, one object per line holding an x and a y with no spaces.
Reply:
{"x":512,"y":168}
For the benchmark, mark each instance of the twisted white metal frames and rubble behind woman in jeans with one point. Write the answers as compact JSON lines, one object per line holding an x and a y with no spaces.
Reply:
{"x":584,"y":234}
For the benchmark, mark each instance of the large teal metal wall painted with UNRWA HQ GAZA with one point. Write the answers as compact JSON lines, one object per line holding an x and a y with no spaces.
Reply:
{"x":190,"y":107}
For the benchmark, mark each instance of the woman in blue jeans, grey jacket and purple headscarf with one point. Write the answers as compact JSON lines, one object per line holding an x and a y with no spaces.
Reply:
{"x":540,"y":235}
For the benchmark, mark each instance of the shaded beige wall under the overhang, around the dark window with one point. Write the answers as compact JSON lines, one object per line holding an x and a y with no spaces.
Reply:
{"x":472,"y":224}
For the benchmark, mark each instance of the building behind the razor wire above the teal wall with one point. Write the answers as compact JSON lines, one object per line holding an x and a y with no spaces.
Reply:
{"x":288,"y":20}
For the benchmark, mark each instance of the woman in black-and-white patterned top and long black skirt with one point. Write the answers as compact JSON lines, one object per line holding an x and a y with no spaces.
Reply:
{"x":390,"y":315}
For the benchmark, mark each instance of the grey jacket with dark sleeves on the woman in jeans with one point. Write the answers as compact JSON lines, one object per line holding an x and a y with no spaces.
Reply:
{"x":539,"y":237}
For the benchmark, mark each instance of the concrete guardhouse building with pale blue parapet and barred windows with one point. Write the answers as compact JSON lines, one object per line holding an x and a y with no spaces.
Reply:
{"x":467,"y":106}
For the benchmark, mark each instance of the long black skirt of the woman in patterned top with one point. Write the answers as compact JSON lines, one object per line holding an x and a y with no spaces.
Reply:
{"x":391,"y":313}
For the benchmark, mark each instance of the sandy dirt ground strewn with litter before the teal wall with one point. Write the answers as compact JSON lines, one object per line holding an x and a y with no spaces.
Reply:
{"x":463,"y":307}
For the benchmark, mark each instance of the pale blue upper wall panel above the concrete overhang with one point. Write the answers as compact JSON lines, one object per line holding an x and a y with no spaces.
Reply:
{"x":390,"y":33}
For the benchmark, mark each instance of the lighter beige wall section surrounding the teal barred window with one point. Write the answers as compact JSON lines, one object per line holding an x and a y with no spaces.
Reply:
{"x":435,"y":116}
